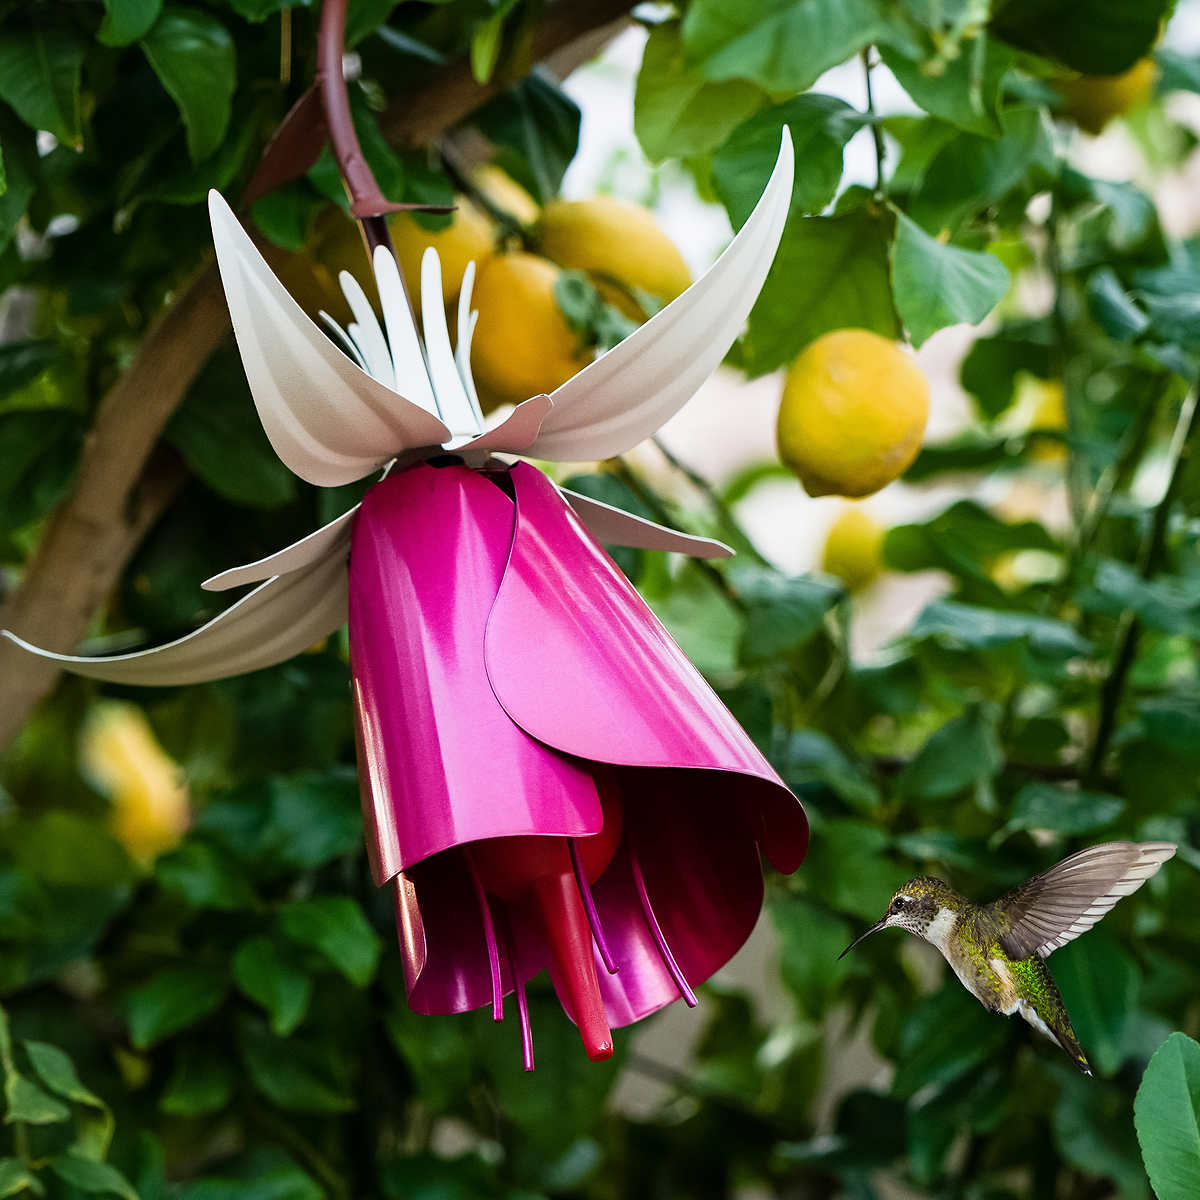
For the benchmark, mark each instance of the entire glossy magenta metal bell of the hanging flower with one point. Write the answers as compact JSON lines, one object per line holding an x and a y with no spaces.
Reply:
{"x":500,"y":658}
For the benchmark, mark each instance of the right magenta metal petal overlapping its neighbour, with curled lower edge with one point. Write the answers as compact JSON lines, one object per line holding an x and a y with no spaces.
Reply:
{"x":581,"y":664}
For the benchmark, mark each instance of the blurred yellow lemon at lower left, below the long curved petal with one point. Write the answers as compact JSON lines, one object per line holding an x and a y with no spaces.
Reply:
{"x":123,"y":758}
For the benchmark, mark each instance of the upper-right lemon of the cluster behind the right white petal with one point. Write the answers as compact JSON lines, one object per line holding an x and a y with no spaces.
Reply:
{"x":620,"y":244}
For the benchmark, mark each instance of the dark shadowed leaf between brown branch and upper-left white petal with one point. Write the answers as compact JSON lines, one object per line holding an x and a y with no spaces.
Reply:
{"x":219,"y":434}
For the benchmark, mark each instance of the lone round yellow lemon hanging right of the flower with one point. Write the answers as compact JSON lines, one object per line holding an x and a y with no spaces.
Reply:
{"x":854,"y":413}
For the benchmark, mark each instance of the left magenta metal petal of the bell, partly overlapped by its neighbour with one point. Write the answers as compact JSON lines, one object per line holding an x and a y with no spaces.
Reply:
{"x":442,"y":763}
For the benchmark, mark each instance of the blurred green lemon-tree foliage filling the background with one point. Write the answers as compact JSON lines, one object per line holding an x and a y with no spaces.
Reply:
{"x":231,"y":1023}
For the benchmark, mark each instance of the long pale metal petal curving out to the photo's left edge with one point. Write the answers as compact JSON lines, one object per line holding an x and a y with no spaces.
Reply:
{"x":277,"y":621}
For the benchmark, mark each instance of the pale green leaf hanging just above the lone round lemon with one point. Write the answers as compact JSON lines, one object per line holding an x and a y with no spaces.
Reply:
{"x":937,"y":285}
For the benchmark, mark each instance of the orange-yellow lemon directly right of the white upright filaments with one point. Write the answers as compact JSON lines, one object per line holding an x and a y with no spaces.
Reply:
{"x":524,"y":345}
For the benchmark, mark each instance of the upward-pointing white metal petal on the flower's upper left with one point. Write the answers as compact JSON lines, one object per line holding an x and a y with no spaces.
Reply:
{"x":327,"y":419}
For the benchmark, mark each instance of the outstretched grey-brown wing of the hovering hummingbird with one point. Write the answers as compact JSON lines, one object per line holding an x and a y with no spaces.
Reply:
{"x":1055,"y":908}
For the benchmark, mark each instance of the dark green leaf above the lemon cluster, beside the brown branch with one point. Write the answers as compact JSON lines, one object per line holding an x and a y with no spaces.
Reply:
{"x":537,"y":125}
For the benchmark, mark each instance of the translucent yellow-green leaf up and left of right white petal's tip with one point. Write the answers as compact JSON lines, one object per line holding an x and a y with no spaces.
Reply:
{"x":677,"y":111}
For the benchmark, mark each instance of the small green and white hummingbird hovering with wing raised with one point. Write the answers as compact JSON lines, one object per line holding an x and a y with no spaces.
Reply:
{"x":999,"y":950}
